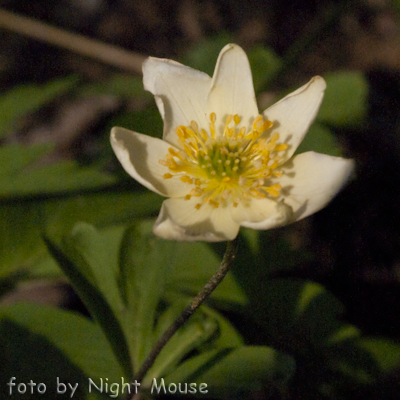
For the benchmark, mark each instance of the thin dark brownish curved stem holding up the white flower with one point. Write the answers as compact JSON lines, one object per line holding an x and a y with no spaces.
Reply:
{"x":216,"y":279}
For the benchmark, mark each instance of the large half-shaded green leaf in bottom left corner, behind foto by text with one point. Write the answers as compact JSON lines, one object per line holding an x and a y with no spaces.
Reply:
{"x":44,"y":343}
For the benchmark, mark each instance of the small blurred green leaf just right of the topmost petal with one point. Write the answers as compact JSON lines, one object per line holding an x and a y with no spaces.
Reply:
{"x":264,"y":65}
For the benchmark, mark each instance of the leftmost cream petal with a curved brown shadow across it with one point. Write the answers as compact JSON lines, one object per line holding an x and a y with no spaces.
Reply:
{"x":139,"y":155}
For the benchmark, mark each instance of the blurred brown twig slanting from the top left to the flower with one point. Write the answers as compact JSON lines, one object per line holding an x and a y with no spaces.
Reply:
{"x":108,"y":54}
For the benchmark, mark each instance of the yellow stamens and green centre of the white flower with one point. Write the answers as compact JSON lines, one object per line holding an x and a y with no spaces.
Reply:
{"x":233,"y":165}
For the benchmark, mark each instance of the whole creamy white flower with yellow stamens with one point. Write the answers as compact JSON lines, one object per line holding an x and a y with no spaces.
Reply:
{"x":221,"y":163}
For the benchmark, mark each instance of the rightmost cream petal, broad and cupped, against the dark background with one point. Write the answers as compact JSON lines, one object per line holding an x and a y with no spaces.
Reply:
{"x":311,"y":180}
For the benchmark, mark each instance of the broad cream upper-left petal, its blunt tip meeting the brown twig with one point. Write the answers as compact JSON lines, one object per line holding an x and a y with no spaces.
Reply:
{"x":180,"y":92}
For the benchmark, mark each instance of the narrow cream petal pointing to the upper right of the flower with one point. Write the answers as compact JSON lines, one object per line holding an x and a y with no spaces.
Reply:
{"x":293,"y":115}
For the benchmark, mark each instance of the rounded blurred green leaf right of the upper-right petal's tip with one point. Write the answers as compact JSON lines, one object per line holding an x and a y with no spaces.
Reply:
{"x":345,"y":100}
